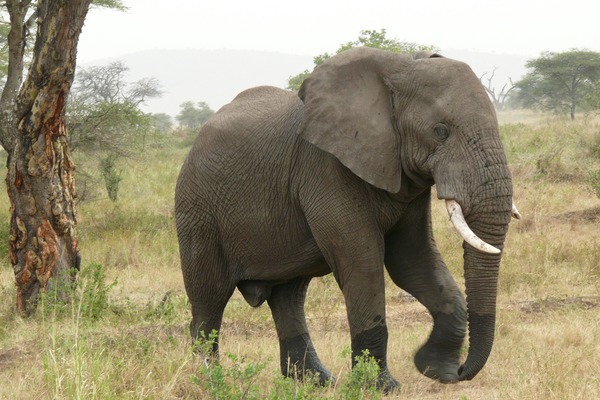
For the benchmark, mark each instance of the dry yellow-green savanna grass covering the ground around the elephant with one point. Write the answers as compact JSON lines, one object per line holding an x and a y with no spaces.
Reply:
{"x":125,"y":334}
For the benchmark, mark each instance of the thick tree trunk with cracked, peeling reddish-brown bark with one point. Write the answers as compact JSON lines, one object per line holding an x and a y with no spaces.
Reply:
{"x":40,"y":180}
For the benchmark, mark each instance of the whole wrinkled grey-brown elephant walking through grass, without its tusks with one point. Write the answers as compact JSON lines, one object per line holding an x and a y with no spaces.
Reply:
{"x":282,"y":187}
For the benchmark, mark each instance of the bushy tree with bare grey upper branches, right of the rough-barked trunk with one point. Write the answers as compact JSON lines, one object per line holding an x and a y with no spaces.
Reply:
{"x":106,"y":122}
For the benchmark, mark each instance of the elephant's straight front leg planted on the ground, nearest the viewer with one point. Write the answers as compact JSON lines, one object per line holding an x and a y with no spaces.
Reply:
{"x":352,"y":243}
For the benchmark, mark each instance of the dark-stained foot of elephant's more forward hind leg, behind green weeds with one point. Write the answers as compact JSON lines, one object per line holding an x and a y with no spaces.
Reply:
{"x":299,"y":360}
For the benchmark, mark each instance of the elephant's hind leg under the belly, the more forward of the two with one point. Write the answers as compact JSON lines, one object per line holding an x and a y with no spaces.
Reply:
{"x":298,"y":356}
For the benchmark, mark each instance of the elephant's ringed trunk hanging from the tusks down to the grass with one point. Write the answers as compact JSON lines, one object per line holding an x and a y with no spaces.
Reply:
{"x":481,"y":280}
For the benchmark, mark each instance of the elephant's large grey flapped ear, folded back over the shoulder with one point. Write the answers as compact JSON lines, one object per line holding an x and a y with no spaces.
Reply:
{"x":348,"y":112}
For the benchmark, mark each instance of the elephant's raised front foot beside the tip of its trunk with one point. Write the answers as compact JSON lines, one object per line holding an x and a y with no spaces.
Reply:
{"x":435,"y":363}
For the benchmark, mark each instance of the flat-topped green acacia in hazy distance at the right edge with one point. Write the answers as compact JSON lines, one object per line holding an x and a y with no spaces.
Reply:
{"x":560,"y":82}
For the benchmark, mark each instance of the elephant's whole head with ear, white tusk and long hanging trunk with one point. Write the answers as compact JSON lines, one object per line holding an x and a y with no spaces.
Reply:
{"x":391,"y":117}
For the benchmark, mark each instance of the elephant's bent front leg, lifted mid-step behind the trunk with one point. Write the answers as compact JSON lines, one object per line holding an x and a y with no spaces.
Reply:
{"x":415,"y":265}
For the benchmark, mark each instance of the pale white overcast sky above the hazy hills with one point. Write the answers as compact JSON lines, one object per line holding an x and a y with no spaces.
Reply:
{"x":311,"y":27}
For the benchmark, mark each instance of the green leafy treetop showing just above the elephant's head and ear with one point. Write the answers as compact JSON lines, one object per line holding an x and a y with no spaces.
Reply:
{"x":367,"y":38}
